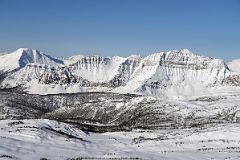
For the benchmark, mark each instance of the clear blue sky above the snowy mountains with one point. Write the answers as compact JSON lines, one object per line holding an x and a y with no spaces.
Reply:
{"x":121,"y":27}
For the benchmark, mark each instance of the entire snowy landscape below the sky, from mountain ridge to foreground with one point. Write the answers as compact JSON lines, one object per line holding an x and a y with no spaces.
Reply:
{"x":190,"y":108}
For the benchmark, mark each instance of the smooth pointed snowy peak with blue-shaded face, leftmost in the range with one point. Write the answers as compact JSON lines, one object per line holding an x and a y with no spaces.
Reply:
{"x":24,"y":56}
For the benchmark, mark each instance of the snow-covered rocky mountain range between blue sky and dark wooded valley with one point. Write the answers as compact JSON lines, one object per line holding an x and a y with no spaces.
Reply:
{"x":177,"y":72}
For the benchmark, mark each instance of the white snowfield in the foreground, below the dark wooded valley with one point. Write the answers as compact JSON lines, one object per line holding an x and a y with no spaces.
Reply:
{"x":41,"y":138}
